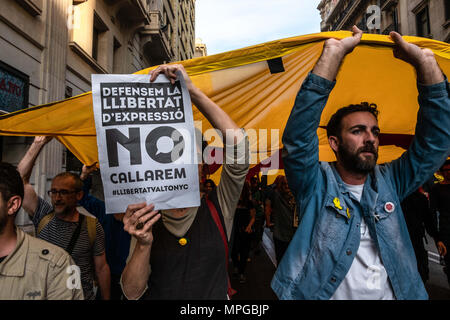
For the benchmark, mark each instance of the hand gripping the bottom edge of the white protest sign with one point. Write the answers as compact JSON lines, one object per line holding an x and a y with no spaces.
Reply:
{"x":138,"y":221}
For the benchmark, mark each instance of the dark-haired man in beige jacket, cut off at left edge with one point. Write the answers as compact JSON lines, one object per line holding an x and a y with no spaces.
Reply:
{"x":30,"y":268}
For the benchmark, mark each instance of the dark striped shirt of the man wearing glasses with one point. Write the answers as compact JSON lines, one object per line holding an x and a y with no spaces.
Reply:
{"x":59,"y":232}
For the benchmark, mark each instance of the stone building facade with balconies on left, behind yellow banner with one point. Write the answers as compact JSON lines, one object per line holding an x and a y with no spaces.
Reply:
{"x":50,"y":48}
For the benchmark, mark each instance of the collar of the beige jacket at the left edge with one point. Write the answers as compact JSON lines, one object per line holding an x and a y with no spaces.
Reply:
{"x":14,"y":264}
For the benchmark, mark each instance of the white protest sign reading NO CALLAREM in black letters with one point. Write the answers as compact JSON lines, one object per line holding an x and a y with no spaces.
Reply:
{"x":146,"y":143}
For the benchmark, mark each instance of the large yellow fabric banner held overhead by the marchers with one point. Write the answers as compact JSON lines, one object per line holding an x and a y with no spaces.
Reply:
{"x":240,"y":82}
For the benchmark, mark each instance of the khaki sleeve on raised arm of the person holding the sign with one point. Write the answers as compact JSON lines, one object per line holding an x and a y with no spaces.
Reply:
{"x":234,"y":171}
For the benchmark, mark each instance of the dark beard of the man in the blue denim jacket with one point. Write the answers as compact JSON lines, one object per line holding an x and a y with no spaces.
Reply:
{"x":354,"y":162}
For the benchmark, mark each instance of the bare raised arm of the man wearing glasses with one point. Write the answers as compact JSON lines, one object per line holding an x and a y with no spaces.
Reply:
{"x":25,"y":167}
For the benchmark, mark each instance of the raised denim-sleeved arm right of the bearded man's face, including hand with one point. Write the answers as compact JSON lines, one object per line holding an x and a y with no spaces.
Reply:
{"x":431,"y":144}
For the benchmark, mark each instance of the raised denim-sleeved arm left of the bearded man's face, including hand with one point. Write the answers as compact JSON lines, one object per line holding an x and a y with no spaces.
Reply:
{"x":301,"y":145}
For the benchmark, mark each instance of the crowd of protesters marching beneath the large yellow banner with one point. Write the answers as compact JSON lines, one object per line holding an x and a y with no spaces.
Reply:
{"x":328,"y":220}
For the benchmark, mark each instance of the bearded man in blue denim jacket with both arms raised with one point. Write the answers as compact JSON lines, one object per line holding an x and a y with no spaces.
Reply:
{"x":352,"y":241}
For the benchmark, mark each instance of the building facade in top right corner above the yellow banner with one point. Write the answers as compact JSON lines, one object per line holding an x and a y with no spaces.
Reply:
{"x":424,"y":18}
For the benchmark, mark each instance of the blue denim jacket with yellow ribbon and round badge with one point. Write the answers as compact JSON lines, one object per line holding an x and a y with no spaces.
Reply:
{"x":327,"y":239}
